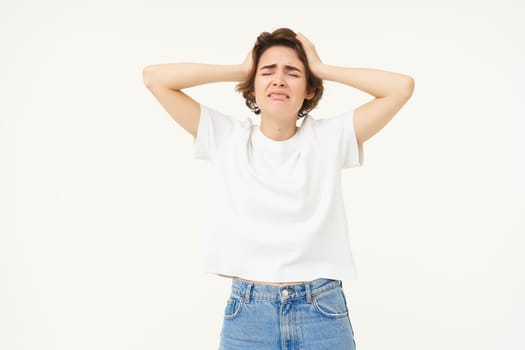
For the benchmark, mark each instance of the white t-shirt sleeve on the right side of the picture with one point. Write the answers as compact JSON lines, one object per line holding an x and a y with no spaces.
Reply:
{"x":341,"y":134}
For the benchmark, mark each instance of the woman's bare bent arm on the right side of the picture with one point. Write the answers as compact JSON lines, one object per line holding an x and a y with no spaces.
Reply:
{"x":391,"y":91}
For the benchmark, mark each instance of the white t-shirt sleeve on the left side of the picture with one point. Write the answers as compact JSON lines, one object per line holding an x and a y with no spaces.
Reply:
{"x":213,"y":130}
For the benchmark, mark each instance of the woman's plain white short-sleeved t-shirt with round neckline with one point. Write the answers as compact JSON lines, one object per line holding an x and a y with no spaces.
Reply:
{"x":276,"y":211}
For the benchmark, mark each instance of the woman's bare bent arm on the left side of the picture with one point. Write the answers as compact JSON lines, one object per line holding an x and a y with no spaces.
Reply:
{"x":166,"y":81}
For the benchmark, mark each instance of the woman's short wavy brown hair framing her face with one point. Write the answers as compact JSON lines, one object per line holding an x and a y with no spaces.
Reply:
{"x":281,"y":37}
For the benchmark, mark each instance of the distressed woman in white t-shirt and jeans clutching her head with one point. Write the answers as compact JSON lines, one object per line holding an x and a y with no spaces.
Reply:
{"x":276,"y":221}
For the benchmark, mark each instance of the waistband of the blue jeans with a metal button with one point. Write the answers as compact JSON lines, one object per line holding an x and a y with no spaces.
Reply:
{"x":248,"y":291}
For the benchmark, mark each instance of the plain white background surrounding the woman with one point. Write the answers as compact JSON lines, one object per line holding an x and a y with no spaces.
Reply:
{"x":100,"y":198}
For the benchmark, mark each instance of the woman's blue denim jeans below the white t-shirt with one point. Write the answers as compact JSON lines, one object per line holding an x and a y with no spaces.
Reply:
{"x":310,"y":316}
